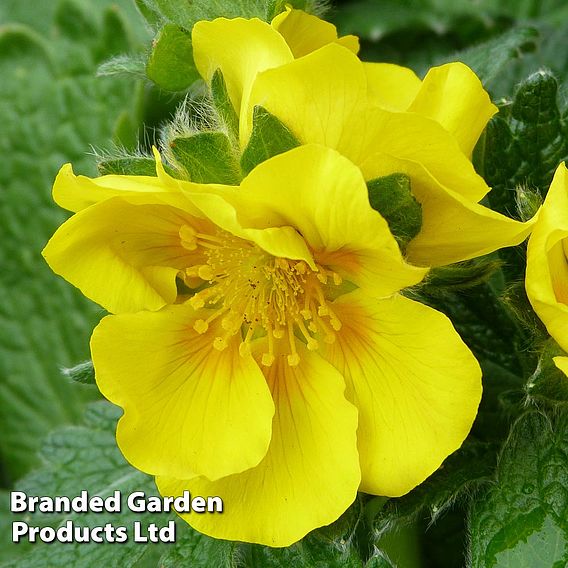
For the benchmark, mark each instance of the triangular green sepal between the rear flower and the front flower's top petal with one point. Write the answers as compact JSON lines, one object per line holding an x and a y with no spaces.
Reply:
{"x":269,"y":138}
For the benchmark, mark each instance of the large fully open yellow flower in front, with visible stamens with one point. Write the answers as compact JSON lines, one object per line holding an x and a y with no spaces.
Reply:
{"x":284,"y":373}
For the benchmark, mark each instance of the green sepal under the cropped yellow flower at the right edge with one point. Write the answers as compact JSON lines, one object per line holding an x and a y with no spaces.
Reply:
{"x":548,"y":383}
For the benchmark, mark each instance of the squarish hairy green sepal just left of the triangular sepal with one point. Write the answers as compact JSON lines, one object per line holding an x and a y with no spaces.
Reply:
{"x":206,"y":157}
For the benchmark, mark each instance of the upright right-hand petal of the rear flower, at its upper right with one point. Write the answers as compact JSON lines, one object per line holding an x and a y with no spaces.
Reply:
{"x":453,"y":95}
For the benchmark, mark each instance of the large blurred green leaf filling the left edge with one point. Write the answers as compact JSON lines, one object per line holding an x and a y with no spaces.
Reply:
{"x":52,"y":111}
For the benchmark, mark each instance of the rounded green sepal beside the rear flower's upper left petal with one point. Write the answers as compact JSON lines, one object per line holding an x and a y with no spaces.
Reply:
{"x":171,"y":65}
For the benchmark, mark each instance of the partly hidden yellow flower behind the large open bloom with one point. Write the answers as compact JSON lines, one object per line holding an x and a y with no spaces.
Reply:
{"x":380,"y":116}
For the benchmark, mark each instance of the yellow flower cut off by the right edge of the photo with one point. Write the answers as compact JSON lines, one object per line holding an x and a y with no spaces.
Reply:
{"x":547,"y":264}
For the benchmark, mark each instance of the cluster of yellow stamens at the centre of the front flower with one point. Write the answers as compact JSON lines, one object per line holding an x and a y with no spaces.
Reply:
{"x":258,"y":294}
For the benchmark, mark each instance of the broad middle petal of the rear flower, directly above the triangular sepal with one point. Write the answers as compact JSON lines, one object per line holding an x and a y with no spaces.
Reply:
{"x":320,"y":97}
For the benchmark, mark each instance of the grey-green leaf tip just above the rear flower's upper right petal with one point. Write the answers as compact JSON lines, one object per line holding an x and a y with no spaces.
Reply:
{"x":490,"y":57}
